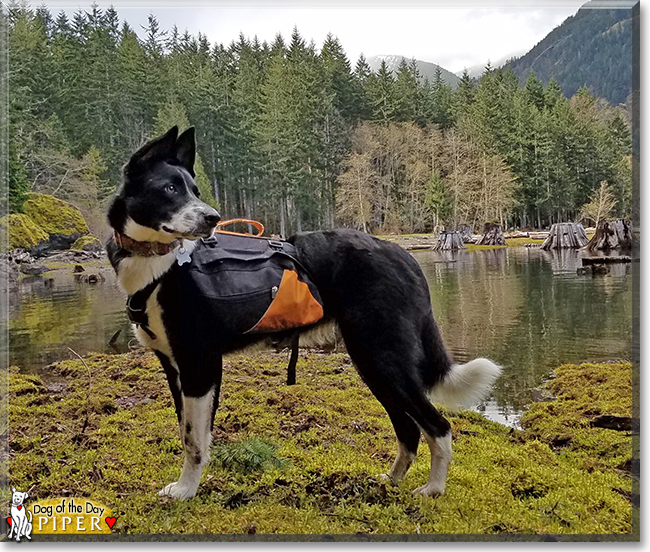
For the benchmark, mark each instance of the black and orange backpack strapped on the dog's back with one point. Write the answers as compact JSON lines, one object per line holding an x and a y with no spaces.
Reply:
{"x":246,"y":284}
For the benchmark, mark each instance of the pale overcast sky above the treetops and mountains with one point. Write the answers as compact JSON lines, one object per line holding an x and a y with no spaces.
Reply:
{"x":455,"y":35}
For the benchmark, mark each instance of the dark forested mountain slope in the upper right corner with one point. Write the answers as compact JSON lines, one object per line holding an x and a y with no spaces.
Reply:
{"x":592,"y":48}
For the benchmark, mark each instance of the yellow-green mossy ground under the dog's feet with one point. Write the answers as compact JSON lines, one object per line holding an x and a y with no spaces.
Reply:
{"x":311,"y":452}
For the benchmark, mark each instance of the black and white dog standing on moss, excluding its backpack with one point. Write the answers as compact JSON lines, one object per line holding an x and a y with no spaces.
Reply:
{"x":373,"y":290}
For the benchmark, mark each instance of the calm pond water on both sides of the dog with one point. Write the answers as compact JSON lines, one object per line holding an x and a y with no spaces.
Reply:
{"x":526,"y":309}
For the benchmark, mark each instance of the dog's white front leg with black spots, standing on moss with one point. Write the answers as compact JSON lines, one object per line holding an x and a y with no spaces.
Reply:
{"x":195,"y":420}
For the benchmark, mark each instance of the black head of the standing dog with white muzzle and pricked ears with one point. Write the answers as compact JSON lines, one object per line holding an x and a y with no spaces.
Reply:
{"x":159,"y":200}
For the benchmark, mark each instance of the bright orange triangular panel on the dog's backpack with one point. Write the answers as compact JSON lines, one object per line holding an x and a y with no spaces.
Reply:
{"x":293,"y":306}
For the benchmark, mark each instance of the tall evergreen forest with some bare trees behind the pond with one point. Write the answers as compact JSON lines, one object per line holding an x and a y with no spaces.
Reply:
{"x":297,"y":135}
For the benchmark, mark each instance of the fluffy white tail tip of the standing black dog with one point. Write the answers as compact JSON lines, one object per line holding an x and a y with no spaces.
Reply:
{"x":465,"y":384}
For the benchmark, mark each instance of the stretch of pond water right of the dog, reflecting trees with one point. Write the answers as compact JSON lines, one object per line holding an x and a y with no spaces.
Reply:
{"x":529,"y":311}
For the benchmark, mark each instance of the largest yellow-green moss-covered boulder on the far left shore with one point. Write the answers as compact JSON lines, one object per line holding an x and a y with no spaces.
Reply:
{"x":55,"y":216}
